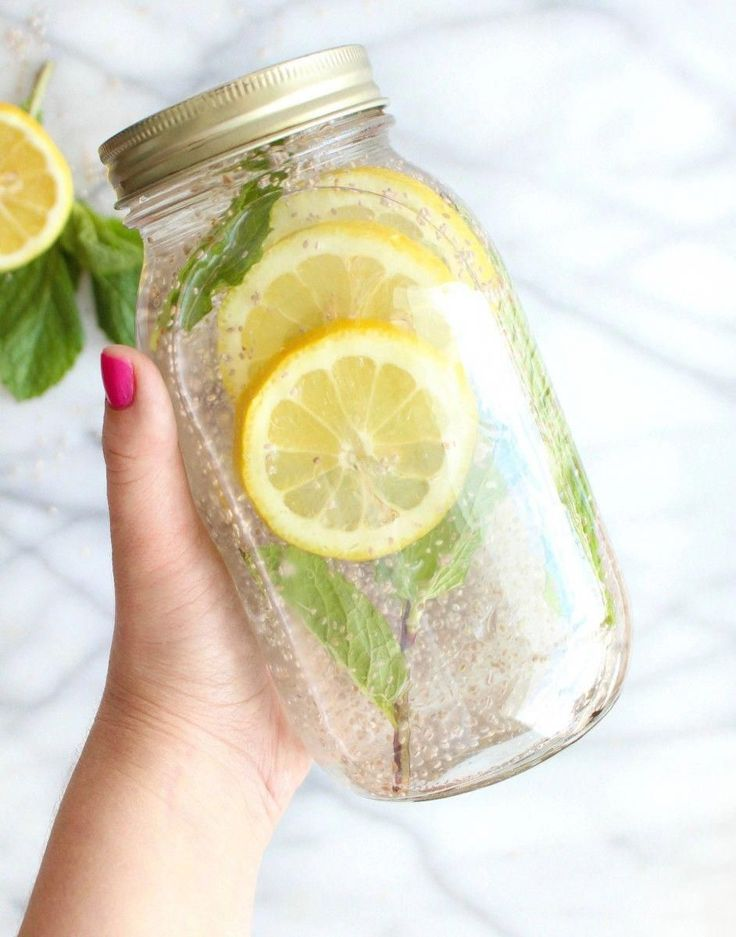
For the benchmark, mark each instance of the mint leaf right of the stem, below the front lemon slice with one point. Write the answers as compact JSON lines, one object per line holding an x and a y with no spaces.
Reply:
{"x":439,"y":561}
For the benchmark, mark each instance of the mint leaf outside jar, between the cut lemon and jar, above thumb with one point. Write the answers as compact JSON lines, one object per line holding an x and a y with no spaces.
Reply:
{"x":113,"y":255}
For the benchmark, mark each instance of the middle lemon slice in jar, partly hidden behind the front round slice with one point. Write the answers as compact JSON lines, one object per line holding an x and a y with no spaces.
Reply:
{"x":317,"y":275}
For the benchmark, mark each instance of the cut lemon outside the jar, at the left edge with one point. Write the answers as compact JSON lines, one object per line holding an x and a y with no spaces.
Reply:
{"x":36,"y":191}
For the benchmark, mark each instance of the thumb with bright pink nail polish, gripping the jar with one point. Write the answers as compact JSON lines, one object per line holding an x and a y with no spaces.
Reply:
{"x":162,"y":556}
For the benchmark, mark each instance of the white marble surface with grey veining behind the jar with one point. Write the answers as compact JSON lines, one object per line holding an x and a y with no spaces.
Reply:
{"x":597,"y":141}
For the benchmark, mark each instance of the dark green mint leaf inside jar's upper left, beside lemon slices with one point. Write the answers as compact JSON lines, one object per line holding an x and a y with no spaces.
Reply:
{"x":227,"y":254}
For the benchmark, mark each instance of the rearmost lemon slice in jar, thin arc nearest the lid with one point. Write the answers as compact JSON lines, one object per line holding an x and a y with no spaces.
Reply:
{"x":372,"y":193}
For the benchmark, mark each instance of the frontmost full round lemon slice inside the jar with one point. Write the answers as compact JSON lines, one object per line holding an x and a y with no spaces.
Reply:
{"x":357,"y":442}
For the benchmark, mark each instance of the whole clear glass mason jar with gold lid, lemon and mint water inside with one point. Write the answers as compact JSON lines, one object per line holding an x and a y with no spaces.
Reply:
{"x":370,"y":434}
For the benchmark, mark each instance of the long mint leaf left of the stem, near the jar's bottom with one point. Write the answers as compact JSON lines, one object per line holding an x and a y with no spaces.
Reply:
{"x":343,"y":620}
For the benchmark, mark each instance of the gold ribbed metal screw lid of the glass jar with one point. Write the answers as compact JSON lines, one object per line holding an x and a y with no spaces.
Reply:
{"x":253,"y":109}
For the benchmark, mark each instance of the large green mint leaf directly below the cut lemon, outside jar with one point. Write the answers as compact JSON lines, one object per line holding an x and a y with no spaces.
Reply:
{"x":40,"y":331}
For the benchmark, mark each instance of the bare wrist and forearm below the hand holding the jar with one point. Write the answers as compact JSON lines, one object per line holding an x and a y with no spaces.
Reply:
{"x":157,"y":834}
